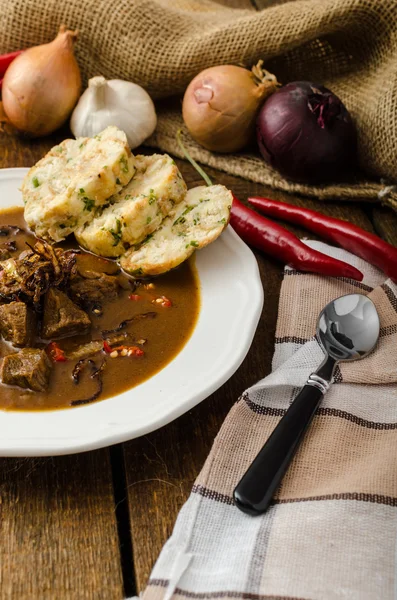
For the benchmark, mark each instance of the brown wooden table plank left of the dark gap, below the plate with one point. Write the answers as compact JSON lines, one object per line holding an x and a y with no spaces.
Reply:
{"x":58,"y":526}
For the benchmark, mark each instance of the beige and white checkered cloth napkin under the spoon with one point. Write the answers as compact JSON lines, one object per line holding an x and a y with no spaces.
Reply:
{"x":331,"y":531}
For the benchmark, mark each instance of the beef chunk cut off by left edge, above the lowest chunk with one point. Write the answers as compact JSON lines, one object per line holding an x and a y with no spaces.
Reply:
{"x":17,"y":323}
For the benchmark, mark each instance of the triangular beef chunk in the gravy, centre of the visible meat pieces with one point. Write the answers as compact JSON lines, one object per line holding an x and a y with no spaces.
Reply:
{"x":62,"y":318}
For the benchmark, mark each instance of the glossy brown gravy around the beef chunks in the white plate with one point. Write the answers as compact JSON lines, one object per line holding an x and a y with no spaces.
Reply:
{"x":165,"y":335}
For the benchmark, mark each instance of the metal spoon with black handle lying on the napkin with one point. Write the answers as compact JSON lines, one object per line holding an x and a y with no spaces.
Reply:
{"x":347,"y":329}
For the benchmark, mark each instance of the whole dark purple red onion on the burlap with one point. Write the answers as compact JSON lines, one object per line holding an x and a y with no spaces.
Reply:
{"x":306,"y":133}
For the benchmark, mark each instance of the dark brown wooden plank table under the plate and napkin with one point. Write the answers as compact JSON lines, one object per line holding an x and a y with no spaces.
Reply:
{"x":91,"y":525}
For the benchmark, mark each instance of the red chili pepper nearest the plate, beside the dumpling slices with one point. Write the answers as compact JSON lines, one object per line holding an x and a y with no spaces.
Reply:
{"x":287,"y":247}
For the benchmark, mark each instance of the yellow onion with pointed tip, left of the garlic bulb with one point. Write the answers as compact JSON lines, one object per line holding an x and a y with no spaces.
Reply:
{"x":42,"y":85}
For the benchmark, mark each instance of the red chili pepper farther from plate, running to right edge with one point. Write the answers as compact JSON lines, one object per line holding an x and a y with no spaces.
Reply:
{"x":358,"y":241}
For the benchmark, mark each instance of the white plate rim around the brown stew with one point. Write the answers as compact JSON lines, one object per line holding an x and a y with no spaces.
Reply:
{"x":231,"y":304}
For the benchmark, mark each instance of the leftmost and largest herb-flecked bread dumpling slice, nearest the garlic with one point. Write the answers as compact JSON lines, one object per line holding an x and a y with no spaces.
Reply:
{"x":62,"y":191}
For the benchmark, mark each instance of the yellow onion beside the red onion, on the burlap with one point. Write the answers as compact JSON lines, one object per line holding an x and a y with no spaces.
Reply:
{"x":221,"y":104}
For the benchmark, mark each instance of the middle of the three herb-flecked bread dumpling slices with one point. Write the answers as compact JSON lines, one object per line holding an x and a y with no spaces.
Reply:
{"x":137,"y":210}
